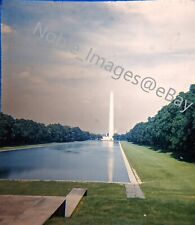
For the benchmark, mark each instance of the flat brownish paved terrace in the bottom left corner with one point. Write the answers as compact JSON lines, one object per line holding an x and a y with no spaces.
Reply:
{"x":29,"y":210}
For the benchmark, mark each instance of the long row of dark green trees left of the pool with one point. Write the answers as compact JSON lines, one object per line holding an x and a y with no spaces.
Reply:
{"x":21,"y":131}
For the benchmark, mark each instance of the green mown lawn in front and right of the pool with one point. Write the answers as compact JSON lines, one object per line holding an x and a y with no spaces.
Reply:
{"x":169,"y":187}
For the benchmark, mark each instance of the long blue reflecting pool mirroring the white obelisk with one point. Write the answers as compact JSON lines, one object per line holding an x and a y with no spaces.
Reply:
{"x":78,"y":161}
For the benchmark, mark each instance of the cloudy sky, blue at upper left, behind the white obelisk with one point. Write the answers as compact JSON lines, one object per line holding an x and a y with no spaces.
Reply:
{"x":43,"y":79}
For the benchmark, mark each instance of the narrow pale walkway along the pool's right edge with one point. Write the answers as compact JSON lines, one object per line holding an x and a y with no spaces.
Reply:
{"x":133,"y":189}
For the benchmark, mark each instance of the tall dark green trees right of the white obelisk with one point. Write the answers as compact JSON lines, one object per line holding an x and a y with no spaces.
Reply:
{"x":170,"y":129}
